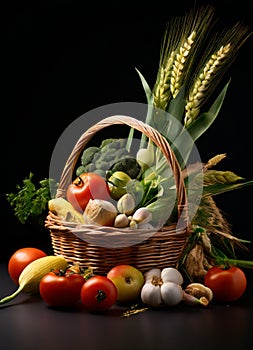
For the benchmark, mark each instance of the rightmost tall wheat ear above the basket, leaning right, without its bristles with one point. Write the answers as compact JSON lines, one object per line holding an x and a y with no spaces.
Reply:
{"x":202,"y":83}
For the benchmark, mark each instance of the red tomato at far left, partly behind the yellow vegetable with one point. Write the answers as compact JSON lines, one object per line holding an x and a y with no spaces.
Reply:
{"x":21,"y":258}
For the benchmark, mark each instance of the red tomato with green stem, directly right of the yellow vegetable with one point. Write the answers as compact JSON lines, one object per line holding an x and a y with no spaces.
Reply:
{"x":60,"y":289}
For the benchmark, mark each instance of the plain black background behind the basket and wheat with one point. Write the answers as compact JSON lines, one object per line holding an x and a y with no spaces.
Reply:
{"x":64,"y":58}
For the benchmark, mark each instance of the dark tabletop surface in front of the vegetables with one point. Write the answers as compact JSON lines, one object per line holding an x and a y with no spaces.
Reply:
{"x":28,"y":323}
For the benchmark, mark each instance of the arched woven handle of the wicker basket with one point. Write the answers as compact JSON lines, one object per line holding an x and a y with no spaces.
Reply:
{"x":151,"y":133}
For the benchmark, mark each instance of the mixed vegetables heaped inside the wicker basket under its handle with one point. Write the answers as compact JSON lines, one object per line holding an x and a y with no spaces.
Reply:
{"x":127,"y":194}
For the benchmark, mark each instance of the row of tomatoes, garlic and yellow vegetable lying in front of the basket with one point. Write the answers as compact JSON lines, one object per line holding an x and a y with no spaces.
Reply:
{"x":65,"y":285}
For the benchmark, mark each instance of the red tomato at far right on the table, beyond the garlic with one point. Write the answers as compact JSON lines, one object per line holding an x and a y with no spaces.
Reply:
{"x":226,"y":284}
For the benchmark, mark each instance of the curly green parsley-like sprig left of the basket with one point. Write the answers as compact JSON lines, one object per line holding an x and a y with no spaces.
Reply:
{"x":31,"y":201}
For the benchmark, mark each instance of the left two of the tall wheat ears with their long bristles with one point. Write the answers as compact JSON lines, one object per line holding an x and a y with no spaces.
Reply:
{"x":175,"y":58}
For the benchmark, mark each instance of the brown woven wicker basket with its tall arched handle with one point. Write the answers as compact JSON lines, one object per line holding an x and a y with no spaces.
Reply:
{"x":81,"y":244}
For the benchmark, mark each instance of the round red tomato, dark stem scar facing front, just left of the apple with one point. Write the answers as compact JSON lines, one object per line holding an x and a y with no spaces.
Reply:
{"x":98,"y":293}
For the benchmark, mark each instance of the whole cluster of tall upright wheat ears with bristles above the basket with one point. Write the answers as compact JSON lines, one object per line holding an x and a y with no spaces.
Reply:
{"x":194,"y":60}
